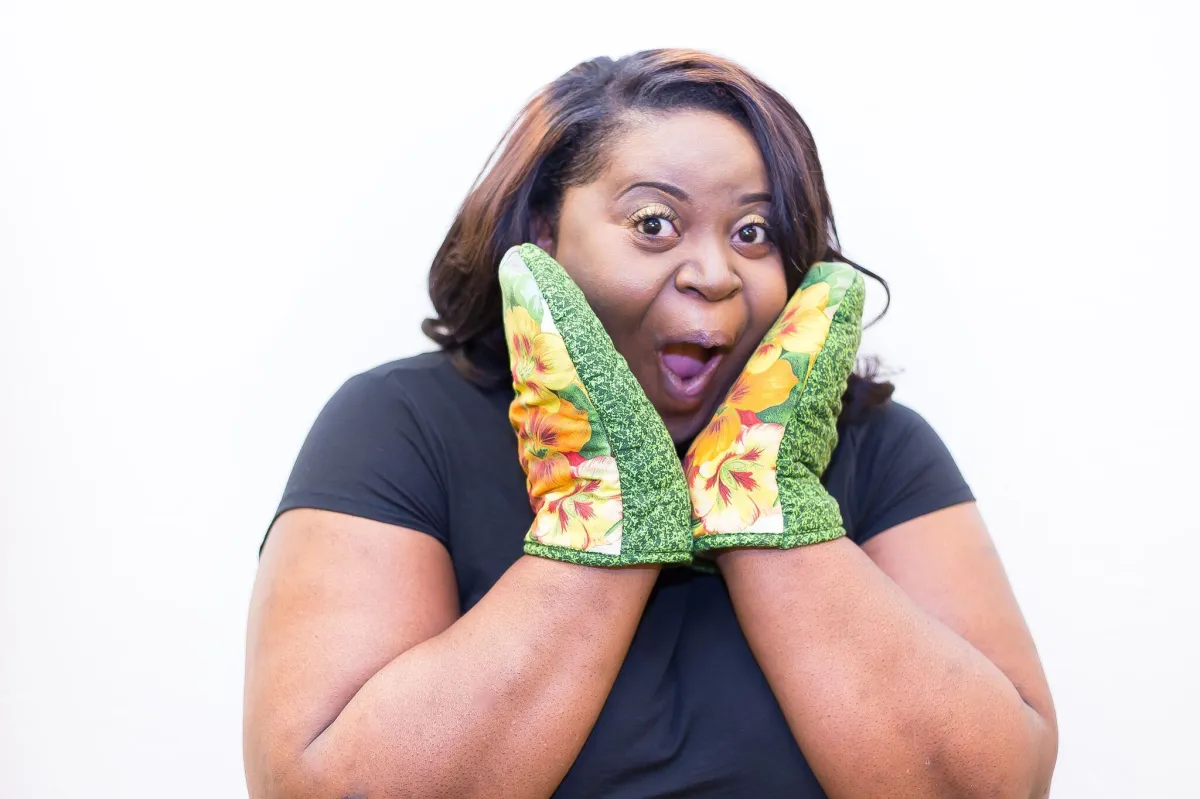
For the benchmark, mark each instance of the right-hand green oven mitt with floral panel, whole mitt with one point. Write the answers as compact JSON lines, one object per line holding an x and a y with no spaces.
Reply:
{"x":754,"y":473}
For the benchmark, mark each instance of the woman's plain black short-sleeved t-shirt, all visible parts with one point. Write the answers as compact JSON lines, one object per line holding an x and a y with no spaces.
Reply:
{"x":413,"y":443}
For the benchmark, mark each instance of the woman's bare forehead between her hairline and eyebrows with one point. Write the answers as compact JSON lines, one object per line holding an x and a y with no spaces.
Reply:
{"x":704,"y":153}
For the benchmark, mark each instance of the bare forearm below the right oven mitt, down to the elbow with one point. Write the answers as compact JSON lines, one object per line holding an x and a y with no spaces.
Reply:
{"x":883,"y":699}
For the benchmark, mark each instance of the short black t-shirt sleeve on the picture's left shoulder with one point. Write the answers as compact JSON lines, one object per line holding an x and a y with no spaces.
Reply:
{"x":370,"y":455}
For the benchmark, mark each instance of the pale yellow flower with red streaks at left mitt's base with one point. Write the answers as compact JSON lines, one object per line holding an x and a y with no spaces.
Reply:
{"x":585,"y":514}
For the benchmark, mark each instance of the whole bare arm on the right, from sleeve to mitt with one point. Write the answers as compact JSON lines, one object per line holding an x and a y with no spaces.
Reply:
{"x":904,"y":670}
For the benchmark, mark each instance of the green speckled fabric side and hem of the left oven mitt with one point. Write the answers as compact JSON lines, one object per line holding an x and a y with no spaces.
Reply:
{"x":657,"y":510}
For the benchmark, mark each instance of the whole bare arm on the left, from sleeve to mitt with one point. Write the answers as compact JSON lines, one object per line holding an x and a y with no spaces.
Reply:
{"x":363,"y":681}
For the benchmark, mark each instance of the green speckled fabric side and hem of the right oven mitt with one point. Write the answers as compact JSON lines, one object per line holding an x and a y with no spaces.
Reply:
{"x":811,"y":514}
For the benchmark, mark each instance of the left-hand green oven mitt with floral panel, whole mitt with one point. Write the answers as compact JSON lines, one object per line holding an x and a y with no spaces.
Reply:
{"x":604,"y":479}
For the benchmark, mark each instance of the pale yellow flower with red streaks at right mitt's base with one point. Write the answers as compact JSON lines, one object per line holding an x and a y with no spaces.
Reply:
{"x":739,"y":494}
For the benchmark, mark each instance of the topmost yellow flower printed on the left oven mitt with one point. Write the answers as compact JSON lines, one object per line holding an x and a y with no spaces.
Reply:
{"x":539,"y":359}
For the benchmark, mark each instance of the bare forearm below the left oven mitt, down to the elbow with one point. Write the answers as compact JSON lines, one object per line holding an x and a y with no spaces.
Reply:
{"x":500,"y":704}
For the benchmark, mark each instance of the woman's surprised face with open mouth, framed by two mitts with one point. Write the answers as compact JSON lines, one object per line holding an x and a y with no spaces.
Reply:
{"x":671,"y":249}
